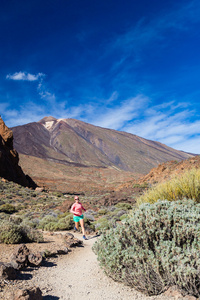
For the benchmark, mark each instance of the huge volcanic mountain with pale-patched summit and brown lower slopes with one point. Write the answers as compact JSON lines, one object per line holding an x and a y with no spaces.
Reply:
{"x":69,"y":154}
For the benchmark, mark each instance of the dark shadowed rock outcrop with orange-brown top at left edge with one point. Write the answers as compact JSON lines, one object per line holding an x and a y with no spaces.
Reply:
{"x":9,"y":168}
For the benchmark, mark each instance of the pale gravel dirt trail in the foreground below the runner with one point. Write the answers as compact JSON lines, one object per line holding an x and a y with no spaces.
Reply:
{"x":78,"y":276}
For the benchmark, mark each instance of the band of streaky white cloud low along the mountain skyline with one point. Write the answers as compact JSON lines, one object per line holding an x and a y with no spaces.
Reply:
{"x":169,"y":123}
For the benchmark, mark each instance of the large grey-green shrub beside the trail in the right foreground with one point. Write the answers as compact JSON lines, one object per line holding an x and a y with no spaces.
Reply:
{"x":156,"y":247}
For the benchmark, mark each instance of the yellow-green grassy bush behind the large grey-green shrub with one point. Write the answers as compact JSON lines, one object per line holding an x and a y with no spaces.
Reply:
{"x":180,"y":187}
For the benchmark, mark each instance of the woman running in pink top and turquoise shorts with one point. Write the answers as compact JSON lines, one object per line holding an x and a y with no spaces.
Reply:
{"x":76,"y":210}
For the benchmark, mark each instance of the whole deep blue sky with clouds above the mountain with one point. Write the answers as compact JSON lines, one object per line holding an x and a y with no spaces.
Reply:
{"x":127,"y":65}
